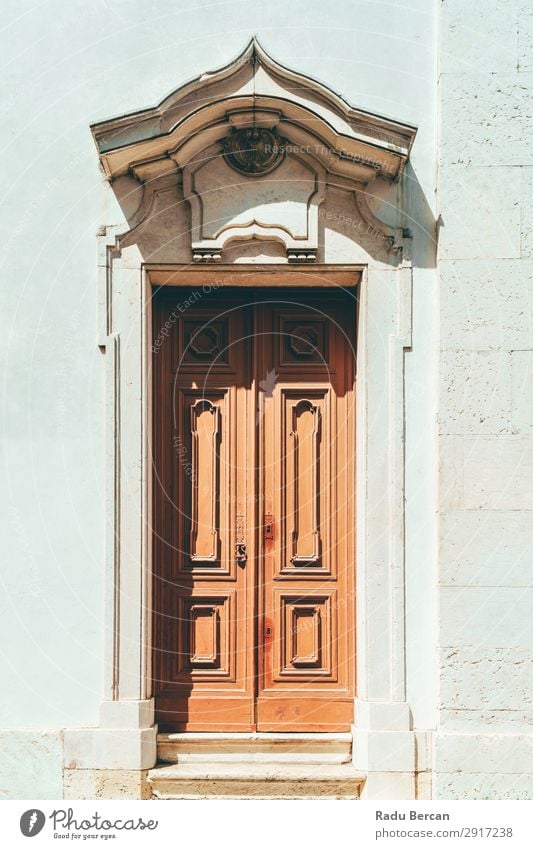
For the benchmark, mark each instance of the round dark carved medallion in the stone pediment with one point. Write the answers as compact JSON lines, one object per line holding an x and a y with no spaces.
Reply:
{"x":253,"y":151}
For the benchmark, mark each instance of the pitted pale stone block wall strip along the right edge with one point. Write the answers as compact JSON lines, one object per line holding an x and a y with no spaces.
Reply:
{"x":483,"y":746}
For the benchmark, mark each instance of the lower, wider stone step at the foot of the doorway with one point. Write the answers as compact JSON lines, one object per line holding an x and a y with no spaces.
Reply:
{"x":255,"y":781}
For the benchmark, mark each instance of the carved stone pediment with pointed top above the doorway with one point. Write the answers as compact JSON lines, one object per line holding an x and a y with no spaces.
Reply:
{"x":254,"y":146}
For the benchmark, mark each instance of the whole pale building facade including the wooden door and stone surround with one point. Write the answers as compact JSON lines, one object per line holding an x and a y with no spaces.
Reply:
{"x":380,"y":157}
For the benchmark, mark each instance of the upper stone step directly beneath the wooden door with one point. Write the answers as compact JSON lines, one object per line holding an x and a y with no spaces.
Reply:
{"x":327,"y":748}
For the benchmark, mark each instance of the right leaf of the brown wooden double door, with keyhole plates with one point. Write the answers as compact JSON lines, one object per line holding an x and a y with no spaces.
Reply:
{"x":306,"y":463}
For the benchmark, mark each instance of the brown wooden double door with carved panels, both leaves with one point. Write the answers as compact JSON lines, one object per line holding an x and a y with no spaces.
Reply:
{"x":254,"y":446}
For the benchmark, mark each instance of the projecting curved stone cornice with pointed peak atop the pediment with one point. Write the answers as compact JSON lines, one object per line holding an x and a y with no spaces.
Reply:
{"x":347,"y":136}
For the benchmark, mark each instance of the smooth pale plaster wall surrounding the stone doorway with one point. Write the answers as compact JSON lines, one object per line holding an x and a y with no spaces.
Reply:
{"x":73,"y":64}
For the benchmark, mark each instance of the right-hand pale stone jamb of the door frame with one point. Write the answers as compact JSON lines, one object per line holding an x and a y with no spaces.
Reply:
{"x":385,"y":745}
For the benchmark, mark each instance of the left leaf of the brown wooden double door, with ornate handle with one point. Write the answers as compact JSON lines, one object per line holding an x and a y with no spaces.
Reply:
{"x":203,"y":597}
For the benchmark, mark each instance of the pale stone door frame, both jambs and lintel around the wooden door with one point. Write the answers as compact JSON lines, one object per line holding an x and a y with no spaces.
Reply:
{"x":384,"y":743}
